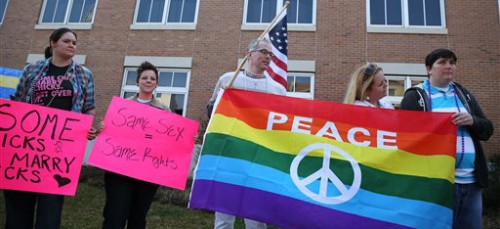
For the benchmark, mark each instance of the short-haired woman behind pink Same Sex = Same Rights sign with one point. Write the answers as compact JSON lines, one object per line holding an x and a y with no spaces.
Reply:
{"x":127,"y":199}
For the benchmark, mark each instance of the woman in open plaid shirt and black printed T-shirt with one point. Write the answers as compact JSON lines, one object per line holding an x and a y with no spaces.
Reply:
{"x":56,"y":82}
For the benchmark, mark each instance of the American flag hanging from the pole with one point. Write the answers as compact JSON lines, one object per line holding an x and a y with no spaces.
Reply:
{"x":278,"y":35}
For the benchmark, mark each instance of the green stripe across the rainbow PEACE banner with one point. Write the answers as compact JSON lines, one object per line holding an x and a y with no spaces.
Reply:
{"x":374,"y":180}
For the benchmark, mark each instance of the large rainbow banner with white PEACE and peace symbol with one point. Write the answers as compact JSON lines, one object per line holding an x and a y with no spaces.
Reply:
{"x":298,"y":163}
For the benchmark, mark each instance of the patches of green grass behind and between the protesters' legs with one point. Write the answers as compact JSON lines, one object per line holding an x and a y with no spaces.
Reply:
{"x":168,"y":211}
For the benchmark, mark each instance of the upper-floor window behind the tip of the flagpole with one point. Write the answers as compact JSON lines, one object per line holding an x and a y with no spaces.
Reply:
{"x":263,"y":11}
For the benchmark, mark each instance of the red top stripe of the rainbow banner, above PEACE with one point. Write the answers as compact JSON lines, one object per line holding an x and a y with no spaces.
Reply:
{"x":382,"y":119}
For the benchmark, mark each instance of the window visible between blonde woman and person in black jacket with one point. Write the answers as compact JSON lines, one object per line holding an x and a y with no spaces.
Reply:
{"x":397,"y":84}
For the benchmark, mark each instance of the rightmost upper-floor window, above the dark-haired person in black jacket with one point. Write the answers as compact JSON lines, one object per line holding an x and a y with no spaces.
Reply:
{"x":406,"y":13}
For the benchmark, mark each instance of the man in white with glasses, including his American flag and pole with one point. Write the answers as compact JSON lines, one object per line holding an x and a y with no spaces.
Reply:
{"x":266,"y":72}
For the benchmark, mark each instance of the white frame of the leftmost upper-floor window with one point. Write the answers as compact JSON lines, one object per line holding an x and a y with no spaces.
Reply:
{"x":66,"y":23}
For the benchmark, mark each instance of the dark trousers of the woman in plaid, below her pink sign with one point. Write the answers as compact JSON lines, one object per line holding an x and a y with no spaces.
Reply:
{"x":20,"y":209}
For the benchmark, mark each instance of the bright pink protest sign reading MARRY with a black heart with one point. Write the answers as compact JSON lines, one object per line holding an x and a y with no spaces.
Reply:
{"x":41,"y":148}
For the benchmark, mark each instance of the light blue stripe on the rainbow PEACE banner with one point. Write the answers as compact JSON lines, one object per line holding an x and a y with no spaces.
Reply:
{"x":411,"y":213}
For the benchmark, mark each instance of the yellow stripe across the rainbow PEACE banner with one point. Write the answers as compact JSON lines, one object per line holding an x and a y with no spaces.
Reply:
{"x":392,"y":161}
